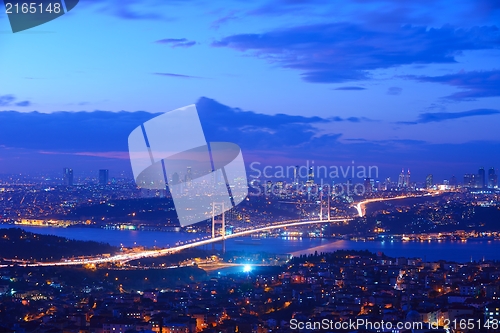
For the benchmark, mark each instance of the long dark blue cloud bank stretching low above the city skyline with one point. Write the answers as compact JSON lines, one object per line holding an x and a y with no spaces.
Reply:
{"x":32,"y":141}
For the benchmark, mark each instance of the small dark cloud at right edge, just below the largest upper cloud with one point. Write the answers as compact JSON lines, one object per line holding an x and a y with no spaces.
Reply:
{"x":477,"y":84}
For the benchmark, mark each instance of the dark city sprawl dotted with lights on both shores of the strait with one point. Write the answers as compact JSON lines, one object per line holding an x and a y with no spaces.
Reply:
{"x":203,"y":290}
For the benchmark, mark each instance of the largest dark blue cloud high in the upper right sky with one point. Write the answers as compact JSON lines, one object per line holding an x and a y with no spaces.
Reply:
{"x":341,"y":52}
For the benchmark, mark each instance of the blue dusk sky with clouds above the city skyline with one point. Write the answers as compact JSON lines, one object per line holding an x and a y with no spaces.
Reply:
{"x":387,"y":83}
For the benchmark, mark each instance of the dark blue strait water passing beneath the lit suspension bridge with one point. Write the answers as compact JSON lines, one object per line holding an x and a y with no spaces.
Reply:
{"x":448,"y":250}
